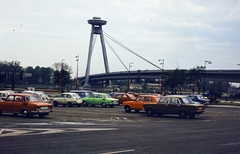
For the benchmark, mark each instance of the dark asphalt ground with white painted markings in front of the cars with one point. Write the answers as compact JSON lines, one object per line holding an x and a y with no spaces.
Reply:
{"x":96,"y":130}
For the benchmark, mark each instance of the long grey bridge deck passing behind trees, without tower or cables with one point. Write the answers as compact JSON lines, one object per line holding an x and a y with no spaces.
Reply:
{"x":210,"y":75}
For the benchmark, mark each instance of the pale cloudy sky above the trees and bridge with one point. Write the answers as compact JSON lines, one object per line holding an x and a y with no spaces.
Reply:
{"x":184,"y":33}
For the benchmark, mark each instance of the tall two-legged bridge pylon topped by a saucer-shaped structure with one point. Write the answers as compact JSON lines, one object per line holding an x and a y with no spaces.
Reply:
{"x":97,"y":24}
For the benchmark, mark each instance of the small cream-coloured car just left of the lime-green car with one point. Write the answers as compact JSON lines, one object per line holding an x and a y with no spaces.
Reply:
{"x":68,"y":99}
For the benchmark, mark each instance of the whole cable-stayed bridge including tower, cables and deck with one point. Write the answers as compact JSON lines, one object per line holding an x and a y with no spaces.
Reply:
{"x":138,"y":75}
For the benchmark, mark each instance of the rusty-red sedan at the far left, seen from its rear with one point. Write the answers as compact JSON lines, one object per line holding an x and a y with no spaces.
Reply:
{"x":25,"y":104}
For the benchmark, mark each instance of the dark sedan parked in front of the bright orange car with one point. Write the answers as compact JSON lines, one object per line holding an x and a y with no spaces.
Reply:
{"x":175,"y":104}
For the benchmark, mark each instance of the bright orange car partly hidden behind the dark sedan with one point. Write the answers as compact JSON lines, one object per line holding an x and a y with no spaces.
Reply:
{"x":137,"y":105}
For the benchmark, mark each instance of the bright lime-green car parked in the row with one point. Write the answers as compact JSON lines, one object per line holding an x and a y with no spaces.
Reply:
{"x":102,"y":99}
